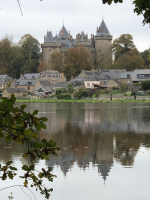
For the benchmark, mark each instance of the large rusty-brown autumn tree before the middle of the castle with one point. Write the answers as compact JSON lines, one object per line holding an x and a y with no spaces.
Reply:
{"x":75,"y":60}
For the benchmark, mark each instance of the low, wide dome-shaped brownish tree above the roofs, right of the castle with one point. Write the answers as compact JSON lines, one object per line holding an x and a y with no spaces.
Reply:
{"x":129,"y":61}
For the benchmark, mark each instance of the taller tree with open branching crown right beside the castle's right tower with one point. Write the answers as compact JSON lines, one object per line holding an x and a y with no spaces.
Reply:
{"x":122,"y":45}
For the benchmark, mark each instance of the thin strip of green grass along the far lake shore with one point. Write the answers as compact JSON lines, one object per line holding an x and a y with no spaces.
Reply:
{"x":77,"y":101}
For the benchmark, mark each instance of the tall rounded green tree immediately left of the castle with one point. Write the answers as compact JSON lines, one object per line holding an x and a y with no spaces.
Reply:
{"x":30,"y":48}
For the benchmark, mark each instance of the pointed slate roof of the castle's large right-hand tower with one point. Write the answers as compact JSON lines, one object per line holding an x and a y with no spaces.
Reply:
{"x":103,"y":30}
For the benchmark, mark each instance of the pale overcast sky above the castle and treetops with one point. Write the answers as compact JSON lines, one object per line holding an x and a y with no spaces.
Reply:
{"x":78,"y":15}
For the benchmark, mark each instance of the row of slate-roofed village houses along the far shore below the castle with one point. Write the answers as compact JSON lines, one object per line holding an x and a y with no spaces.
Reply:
{"x":47,"y":83}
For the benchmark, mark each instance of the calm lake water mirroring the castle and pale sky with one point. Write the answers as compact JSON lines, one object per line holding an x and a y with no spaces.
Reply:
{"x":105,"y":152}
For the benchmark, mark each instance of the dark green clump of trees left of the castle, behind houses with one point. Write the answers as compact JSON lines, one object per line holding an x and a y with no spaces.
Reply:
{"x":23,"y":57}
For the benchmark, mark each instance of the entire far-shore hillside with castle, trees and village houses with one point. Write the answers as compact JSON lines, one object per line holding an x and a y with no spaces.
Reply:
{"x":75,"y":68}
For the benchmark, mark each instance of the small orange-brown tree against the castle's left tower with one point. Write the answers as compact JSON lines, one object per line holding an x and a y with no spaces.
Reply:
{"x":56,"y":61}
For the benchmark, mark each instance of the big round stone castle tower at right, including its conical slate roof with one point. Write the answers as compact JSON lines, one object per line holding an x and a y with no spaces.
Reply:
{"x":103,"y":41}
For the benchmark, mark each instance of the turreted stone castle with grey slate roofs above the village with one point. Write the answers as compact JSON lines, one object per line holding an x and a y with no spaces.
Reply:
{"x":98,"y":46}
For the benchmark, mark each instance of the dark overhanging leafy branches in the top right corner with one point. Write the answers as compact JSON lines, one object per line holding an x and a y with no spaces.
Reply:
{"x":141,"y":7}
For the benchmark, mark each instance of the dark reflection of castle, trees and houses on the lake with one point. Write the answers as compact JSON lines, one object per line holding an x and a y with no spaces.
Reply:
{"x":100,"y":134}
